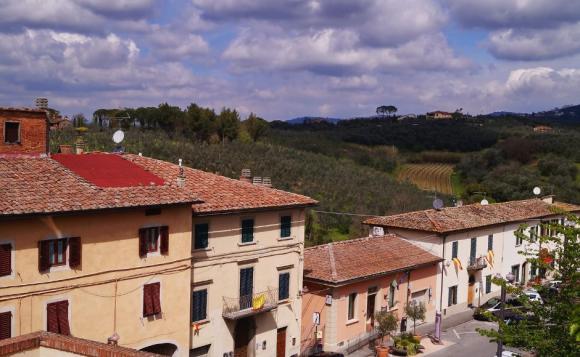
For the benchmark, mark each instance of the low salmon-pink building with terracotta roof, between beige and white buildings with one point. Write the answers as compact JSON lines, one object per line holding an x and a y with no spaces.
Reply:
{"x":347,"y":283}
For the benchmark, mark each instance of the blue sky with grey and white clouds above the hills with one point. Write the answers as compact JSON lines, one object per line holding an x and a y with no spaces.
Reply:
{"x":284,"y":59}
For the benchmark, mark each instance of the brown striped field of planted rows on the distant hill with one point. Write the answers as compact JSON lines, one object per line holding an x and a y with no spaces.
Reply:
{"x":431,"y":177}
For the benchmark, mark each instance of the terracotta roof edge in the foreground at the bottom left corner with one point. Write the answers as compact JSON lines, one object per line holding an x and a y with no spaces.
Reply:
{"x":74,"y":345}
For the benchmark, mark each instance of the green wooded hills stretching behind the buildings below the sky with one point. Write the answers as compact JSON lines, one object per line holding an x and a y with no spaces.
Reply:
{"x":354,"y":167}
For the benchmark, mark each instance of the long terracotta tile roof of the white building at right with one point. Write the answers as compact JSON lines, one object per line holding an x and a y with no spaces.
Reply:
{"x":450,"y":219}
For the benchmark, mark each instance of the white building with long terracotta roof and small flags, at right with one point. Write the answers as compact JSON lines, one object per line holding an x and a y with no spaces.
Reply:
{"x":476,"y":242}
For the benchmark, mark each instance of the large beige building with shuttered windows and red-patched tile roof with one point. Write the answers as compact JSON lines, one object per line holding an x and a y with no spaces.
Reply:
{"x":104,"y":245}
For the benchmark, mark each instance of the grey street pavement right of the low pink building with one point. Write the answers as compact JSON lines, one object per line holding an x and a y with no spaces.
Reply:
{"x":466,"y":341}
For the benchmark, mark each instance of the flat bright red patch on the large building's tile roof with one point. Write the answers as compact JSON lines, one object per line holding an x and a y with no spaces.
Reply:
{"x":106,"y":170}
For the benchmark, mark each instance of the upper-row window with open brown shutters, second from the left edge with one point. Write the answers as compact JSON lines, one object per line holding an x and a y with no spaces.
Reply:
{"x":53,"y":253}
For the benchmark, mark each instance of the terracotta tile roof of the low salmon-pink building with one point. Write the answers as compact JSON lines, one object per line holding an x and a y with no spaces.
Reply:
{"x":362,"y":258}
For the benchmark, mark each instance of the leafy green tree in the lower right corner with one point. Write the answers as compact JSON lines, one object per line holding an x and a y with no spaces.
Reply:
{"x":551,"y":328}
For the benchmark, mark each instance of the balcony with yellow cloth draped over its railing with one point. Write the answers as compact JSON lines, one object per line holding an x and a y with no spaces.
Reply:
{"x":249,"y":305}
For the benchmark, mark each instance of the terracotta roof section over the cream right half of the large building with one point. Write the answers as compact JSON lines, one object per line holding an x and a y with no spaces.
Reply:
{"x":221,"y":194}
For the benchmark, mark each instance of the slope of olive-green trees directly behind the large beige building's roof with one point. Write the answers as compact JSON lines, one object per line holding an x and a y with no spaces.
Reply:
{"x":339,"y":185}
